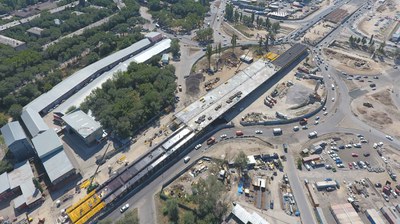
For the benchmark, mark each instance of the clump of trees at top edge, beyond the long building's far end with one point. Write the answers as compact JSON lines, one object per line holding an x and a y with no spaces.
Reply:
{"x":187,"y":15}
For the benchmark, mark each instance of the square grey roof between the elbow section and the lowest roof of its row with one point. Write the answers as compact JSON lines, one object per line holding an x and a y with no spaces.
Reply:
{"x":47,"y":143}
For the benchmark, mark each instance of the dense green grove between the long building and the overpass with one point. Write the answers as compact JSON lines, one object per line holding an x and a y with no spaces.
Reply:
{"x":129,"y":101}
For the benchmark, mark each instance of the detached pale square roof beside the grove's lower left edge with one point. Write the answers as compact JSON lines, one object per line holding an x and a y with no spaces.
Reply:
{"x":81,"y":123}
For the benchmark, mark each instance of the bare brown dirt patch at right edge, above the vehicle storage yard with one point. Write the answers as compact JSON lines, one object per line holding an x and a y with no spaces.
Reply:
{"x":384,"y":115}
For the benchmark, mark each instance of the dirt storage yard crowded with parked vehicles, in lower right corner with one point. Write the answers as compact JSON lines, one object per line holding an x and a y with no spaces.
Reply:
{"x":346,"y":168}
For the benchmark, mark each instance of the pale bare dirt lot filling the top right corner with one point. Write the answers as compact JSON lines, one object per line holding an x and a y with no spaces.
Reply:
{"x":381,"y":23}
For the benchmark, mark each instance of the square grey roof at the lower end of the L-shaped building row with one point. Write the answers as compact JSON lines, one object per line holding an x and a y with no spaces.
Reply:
{"x":57,"y":165}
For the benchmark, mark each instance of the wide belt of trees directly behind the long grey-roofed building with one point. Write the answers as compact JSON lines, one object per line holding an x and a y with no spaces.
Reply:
{"x":24,"y":75}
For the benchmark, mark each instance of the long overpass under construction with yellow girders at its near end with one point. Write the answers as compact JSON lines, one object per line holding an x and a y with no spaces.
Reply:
{"x":214,"y":105}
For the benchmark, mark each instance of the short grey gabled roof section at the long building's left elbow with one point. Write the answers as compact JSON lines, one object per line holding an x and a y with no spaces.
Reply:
{"x":33,"y":122}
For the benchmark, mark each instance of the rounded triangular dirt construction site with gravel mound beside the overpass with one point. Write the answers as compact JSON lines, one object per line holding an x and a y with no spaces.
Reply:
{"x":300,"y":92}
